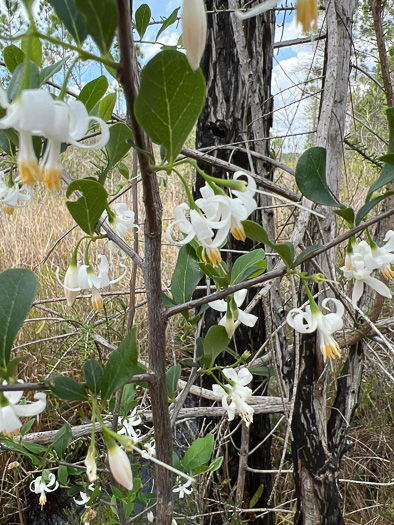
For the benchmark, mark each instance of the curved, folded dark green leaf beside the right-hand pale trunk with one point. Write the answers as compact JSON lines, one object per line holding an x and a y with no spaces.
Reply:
{"x":310,"y":177}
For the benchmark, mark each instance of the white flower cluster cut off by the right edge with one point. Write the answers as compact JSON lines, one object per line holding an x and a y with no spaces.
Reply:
{"x":363,"y":259}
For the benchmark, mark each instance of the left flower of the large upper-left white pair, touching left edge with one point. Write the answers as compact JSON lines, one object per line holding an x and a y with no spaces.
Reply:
{"x":26,"y":114}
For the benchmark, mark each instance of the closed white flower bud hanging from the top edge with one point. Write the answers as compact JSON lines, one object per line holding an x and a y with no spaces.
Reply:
{"x":194,"y":30}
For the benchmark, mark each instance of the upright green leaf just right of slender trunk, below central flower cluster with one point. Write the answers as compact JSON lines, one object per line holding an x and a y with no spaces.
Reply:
{"x":186,"y":276}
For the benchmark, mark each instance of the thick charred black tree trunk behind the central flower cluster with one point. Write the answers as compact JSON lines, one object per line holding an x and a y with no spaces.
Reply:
{"x":235,"y":122}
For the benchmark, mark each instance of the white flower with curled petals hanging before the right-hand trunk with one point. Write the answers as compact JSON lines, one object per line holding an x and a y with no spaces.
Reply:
{"x":306,"y":322}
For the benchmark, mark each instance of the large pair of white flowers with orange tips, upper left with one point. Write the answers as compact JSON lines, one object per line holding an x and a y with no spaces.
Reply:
{"x":36,"y":112}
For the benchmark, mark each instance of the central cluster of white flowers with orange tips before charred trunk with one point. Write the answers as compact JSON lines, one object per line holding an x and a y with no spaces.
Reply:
{"x":215,"y":212}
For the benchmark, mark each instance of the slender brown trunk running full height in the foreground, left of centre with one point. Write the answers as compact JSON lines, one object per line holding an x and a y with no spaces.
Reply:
{"x":152,"y":271}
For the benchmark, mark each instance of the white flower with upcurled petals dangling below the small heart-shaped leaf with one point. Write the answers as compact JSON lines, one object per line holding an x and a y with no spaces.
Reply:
{"x":88,"y":279}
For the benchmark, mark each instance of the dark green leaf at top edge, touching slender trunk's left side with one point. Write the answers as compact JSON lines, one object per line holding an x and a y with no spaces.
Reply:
{"x":101,"y":18}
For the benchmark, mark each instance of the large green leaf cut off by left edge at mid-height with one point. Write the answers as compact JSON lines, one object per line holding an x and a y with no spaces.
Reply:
{"x":17,"y":292}
